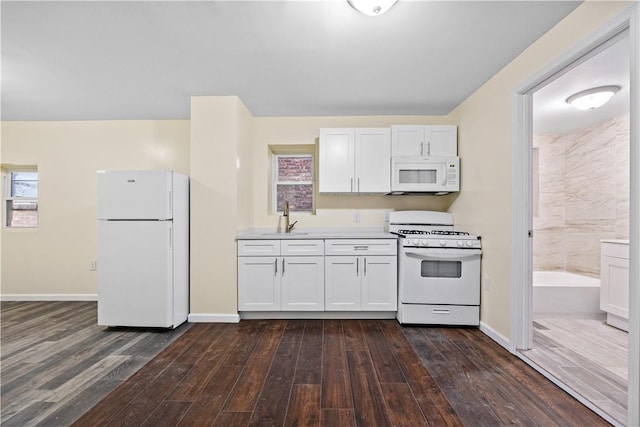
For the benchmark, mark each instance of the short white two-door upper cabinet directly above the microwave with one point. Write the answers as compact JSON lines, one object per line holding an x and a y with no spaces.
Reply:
{"x":425,"y":141}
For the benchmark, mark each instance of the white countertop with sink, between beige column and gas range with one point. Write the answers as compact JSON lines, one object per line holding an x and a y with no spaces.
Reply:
{"x":317,"y":233}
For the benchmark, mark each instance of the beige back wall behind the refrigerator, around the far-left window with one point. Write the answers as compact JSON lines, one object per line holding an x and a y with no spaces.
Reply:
{"x":54,"y":258}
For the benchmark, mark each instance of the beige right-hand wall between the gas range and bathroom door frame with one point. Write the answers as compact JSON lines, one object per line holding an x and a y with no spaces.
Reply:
{"x":484,"y":142}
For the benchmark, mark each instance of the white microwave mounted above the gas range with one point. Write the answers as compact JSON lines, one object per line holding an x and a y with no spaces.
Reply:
{"x":439,"y":175}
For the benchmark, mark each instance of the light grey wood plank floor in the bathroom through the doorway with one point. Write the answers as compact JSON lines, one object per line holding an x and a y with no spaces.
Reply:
{"x":587,"y":355}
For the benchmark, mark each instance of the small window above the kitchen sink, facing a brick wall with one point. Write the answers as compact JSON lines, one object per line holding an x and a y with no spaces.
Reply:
{"x":293,"y":182}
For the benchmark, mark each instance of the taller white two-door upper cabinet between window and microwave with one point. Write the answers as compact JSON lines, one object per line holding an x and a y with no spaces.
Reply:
{"x":355,"y":160}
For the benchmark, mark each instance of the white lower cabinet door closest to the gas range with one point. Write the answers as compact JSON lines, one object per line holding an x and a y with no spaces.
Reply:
{"x":380,"y":283}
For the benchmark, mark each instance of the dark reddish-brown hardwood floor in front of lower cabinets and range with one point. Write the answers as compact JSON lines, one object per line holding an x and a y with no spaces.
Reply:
{"x":330,"y":373}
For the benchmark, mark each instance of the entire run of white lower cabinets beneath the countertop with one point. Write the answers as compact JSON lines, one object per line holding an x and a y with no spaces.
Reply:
{"x":317,"y":275}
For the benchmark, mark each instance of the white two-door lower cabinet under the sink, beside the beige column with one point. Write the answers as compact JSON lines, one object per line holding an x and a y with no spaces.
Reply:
{"x":287,"y":279}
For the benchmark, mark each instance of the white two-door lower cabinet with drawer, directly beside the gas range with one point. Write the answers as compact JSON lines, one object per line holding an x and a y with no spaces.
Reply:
{"x":357,"y":282}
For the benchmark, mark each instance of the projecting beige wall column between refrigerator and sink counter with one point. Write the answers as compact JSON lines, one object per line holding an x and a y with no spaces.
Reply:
{"x":218,"y":146}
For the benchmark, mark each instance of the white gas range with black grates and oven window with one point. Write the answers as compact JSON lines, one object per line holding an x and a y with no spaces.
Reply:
{"x":438,"y":269}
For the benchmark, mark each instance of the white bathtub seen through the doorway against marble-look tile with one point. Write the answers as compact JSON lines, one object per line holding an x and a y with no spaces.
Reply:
{"x":564,"y":294}
